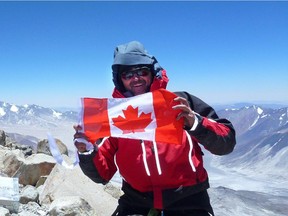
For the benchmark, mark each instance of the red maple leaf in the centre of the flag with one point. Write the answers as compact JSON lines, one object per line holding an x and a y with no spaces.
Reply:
{"x":132,"y":122}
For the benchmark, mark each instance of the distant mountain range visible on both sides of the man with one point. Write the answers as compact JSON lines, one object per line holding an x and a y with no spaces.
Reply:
{"x":262,"y":132}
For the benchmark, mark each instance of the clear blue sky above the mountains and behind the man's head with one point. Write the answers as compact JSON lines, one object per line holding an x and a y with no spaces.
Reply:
{"x":54,"y":53}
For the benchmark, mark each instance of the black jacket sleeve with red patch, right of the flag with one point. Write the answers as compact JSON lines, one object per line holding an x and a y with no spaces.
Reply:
{"x":216,"y":134}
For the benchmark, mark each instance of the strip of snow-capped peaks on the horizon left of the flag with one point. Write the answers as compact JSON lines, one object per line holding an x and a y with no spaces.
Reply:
{"x":11,"y":114}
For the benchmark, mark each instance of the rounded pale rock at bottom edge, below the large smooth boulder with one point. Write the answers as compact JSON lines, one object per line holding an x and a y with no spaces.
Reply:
{"x":70,"y":205}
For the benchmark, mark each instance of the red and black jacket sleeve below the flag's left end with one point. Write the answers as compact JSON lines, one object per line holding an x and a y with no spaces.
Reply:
{"x":99,"y":166}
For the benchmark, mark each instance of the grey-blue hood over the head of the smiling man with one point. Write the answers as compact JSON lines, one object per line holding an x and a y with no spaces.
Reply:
{"x":130,"y":54}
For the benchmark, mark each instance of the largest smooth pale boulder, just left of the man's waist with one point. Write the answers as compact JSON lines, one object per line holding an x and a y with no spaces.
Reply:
{"x":64,"y":182}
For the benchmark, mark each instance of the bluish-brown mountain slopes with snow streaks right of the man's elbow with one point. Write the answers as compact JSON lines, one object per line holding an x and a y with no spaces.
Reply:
{"x":262,"y":139}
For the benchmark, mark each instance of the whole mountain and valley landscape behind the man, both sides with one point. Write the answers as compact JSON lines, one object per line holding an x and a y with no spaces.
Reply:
{"x":254,"y":174}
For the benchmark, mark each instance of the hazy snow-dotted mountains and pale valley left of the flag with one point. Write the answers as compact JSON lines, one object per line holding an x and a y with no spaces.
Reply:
{"x":37,"y":121}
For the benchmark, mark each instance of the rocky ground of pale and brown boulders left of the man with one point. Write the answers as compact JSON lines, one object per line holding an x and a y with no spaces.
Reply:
{"x":47,"y":188}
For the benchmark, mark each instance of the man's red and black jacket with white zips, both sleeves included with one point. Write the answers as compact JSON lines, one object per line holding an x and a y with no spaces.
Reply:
{"x":160,"y":175}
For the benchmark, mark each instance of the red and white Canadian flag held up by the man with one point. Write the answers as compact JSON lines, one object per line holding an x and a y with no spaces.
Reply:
{"x":147,"y":116}
